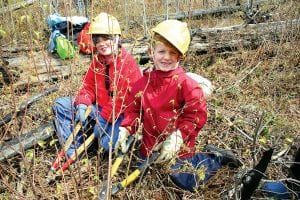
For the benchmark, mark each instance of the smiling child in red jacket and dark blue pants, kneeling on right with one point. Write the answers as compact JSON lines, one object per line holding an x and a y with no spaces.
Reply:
{"x":172,"y":108}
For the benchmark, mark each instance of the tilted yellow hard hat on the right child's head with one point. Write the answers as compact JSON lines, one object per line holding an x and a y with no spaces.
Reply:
{"x":175,"y":32}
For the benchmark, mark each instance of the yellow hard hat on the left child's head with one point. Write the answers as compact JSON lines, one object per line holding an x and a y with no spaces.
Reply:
{"x":105,"y":24}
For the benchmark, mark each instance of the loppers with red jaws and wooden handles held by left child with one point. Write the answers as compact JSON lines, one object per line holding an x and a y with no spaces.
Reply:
{"x":57,"y":167}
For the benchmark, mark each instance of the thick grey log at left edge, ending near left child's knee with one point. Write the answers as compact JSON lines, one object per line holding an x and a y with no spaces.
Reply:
{"x":24,"y":141}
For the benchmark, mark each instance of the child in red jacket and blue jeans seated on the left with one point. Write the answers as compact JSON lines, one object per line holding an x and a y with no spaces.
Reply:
{"x":105,"y":87}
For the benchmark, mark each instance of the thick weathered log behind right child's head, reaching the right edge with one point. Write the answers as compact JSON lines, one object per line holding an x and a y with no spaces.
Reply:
{"x":223,"y":39}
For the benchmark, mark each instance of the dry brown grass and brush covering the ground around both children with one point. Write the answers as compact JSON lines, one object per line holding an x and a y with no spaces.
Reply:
{"x":247,"y":84}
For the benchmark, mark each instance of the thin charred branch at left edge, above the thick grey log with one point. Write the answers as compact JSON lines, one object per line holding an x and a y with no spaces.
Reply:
{"x":24,"y":105}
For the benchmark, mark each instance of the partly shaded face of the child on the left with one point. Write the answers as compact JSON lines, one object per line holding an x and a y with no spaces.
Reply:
{"x":106,"y":45}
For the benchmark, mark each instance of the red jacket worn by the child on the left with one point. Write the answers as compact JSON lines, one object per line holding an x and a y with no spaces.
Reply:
{"x":94,"y":90}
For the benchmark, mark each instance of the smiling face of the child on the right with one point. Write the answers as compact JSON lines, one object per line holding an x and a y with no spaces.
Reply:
{"x":165,"y":57}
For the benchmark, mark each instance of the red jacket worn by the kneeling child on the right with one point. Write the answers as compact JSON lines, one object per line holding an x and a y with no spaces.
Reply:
{"x":169,"y":101}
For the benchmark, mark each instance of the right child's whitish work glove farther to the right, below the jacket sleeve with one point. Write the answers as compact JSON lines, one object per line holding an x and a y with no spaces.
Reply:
{"x":170,"y":146}
